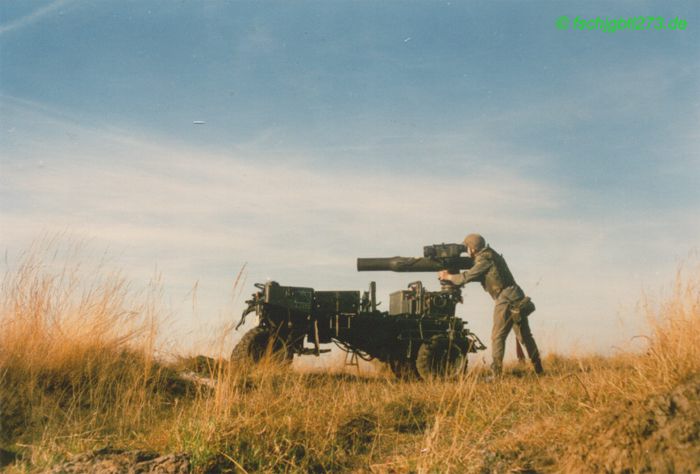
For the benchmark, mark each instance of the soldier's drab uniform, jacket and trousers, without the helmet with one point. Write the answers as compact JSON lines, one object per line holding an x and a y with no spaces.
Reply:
{"x":491,"y":270}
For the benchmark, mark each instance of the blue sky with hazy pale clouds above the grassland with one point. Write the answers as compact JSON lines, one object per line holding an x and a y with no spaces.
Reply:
{"x":336,"y":130}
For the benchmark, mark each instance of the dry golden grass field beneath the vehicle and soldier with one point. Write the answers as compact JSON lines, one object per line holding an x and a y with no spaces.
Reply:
{"x":78,"y":373}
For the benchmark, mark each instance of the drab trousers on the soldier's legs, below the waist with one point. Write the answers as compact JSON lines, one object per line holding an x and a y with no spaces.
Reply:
{"x":502,"y":324}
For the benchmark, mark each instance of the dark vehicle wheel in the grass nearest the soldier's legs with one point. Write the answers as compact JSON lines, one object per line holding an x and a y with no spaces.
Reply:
{"x":441,"y":358}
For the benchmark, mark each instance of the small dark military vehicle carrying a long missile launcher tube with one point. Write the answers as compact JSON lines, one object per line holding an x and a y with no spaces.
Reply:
{"x":419,"y":336}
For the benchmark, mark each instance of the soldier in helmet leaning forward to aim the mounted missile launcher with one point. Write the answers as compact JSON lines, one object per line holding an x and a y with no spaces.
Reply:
{"x":511,"y":304}
